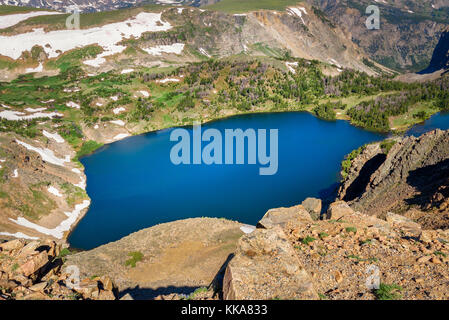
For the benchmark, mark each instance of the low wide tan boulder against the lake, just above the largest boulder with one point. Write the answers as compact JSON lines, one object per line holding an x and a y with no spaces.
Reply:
{"x":281,"y":216}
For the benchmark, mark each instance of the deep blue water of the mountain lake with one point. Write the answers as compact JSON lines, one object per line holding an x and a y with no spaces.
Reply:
{"x":133,"y":184}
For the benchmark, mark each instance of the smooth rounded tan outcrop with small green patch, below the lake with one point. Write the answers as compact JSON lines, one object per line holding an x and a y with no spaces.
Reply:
{"x":170,"y":258}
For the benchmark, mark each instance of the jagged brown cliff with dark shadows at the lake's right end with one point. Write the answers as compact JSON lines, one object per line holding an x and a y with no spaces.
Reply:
{"x":413,"y":175}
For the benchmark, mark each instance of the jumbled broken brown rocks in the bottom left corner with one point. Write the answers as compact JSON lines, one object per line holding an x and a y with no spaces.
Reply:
{"x":33,"y":271}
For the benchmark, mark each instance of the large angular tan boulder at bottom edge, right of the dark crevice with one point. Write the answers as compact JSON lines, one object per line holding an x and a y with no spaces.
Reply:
{"x":265,"y":266}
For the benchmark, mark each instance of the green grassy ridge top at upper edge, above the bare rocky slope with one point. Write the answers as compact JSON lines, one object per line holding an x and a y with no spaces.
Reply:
{"x":240,"y":6}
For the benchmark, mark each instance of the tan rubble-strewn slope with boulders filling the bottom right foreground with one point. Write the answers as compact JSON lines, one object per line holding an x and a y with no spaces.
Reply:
{"x":346,"y":256}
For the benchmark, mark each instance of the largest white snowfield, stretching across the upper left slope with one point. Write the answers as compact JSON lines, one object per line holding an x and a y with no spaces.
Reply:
{"x":106,"y":36}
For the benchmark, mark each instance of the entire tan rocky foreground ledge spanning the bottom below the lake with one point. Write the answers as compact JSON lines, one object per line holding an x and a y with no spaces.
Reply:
{"x":290,"y":255}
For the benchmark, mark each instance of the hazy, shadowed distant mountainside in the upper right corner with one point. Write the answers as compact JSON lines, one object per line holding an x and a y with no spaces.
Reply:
{"x":409,"y":30}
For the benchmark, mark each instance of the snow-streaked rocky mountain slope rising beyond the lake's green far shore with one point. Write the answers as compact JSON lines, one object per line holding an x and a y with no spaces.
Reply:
{"x":199,"y":34}
